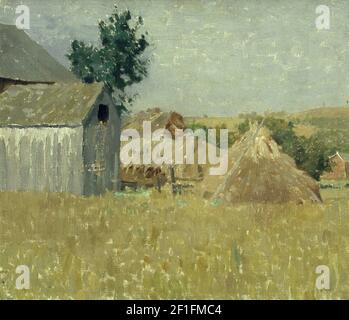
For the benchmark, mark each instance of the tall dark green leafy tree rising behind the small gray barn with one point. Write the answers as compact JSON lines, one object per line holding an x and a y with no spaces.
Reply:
{"x":118,"y":61}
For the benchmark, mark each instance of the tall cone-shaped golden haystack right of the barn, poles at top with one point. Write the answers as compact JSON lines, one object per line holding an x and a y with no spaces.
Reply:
{"x":260,"y":172}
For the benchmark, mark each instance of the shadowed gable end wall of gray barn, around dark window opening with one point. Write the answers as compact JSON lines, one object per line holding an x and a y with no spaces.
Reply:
{"x":101,"y":149}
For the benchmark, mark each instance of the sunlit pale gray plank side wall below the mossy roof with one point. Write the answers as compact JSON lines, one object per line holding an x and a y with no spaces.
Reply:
{"x":41,"y":159}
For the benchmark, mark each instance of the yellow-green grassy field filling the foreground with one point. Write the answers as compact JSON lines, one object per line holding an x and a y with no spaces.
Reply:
{"x":144,"y":246}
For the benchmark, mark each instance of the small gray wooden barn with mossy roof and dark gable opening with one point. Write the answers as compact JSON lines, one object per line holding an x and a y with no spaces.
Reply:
{"x":59,"y":138}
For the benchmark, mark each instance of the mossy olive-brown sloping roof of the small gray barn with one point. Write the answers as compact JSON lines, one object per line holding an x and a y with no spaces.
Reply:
{"x":42,"y":104}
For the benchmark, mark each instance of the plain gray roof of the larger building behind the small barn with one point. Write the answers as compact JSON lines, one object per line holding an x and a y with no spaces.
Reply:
{"x":23,"y":59}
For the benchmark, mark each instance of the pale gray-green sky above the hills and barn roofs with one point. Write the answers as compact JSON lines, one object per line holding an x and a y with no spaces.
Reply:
{"x":216,"y":57}
